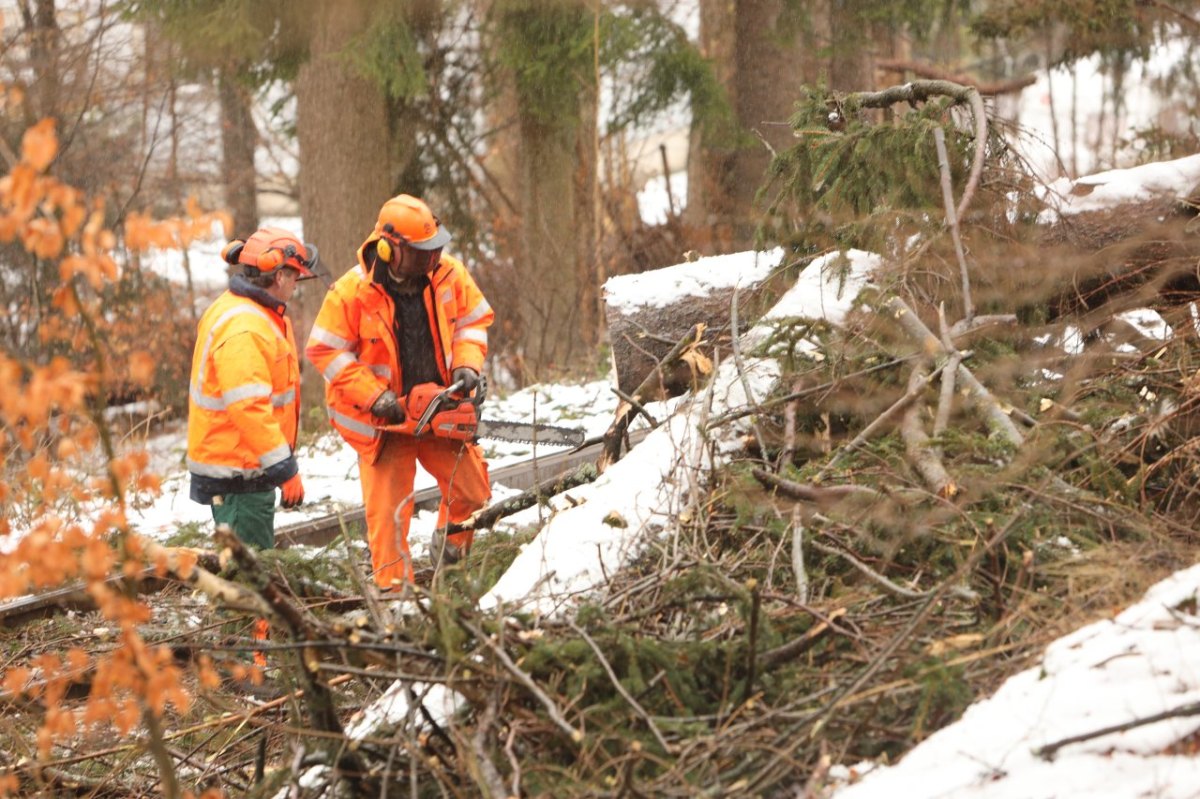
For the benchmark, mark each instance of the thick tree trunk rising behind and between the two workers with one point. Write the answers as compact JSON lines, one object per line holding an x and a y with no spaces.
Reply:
{"x":346,"y":160}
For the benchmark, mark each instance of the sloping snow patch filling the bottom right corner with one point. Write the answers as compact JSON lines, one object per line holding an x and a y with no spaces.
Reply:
{"x":1142,"y":663}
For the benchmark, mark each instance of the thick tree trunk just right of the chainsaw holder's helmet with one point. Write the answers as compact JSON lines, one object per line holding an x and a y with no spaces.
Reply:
{"x":547,"y":159}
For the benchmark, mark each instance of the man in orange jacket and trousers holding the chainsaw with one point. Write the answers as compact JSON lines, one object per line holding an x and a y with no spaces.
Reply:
{"x":406,"y":315}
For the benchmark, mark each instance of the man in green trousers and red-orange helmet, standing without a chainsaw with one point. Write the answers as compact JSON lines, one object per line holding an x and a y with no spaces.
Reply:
{"x":244,"y":400}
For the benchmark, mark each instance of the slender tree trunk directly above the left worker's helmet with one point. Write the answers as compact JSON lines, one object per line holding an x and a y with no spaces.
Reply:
{"x":238,"y":140}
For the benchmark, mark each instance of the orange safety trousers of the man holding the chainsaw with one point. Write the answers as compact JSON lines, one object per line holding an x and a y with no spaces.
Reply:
{"x":461,"y":473}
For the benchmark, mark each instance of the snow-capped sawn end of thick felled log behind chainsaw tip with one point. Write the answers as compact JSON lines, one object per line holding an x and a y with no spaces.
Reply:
{"x":650,"y":313}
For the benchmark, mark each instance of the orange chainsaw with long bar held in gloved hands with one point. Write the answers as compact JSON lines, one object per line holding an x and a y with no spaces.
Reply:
{"x":431,"y":410}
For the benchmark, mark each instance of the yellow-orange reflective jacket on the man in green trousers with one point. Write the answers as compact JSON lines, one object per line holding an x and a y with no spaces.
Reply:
{"x":244,"y":405}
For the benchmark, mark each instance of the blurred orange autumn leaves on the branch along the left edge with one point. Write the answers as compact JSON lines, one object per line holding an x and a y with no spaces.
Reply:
{"x":61,"y":479}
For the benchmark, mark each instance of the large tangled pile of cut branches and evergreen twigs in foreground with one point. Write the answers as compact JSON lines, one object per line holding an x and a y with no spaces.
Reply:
{"x":884,"y":554}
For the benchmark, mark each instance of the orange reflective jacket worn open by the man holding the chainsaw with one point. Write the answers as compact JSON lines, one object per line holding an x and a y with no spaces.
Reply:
{"x":353,"y":344}
